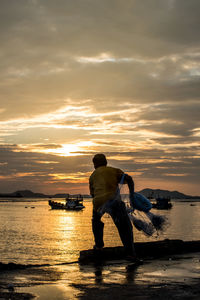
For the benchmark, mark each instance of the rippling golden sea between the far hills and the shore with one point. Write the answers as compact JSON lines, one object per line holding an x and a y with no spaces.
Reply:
{"x":32,"y":233}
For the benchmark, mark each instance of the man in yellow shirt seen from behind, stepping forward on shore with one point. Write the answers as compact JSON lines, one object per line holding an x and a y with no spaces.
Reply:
{"x":103,"y":188}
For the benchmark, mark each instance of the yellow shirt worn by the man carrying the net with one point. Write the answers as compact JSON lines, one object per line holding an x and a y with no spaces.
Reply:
{"x":103,"y":184}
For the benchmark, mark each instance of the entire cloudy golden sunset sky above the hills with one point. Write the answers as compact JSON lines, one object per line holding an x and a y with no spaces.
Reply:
{"x":99,"y":76}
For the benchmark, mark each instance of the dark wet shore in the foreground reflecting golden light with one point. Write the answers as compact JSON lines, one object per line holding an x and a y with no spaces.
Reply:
{"x":170,"y":277}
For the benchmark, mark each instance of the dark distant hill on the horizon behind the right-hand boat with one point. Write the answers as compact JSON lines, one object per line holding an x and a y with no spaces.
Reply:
{"x":155,"y":193}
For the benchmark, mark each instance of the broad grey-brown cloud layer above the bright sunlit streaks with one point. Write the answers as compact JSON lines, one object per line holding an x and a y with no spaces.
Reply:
{"x":154,"y":52}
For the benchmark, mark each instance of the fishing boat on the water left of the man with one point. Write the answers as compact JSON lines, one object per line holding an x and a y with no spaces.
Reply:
{"x":71,"y":203}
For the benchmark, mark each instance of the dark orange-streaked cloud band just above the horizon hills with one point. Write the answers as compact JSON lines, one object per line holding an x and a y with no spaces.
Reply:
{"x":30,"y":169}
